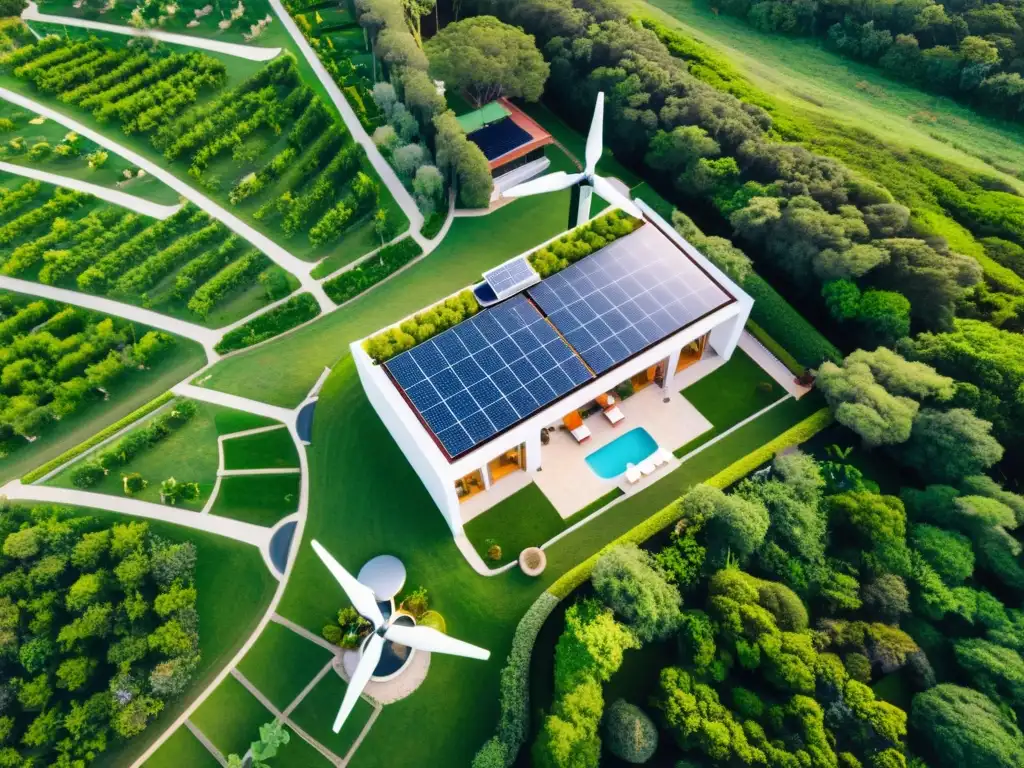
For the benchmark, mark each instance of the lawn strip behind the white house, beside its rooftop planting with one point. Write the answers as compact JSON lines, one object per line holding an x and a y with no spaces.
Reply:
{"x":470,"y":248}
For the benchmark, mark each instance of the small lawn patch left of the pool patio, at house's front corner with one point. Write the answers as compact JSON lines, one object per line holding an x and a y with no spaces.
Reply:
{"x":525,"y":520}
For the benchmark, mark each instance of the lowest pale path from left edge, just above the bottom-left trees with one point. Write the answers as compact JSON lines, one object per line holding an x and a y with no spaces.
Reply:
{"x":258,"y":536}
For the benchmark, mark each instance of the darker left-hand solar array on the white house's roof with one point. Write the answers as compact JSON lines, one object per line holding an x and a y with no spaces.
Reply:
{"x":487,"y":374}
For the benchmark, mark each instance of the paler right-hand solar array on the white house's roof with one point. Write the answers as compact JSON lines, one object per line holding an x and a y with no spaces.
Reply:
{"x":626,"y":297}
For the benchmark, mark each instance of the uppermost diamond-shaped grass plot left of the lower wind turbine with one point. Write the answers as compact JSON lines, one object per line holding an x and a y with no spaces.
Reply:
{"x":282,"y":664}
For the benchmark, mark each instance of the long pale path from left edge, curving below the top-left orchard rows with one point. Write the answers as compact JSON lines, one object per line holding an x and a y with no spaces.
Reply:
{"x":278,"y":254}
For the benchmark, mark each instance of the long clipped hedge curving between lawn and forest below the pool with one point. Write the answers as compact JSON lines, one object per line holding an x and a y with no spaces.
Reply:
{"x":515,"y":704}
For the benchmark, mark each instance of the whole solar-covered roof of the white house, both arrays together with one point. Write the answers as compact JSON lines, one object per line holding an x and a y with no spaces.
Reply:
{"x":493,"y":371}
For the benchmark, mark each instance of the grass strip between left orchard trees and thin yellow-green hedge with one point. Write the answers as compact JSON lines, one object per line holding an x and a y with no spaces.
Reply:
{"x":127,"y":394}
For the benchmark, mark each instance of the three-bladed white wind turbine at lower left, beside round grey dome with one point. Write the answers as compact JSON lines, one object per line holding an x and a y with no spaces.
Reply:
{"x":421,"y":638}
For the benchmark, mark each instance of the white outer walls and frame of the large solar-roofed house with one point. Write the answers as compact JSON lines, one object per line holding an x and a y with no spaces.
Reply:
{"x":439,"y":476}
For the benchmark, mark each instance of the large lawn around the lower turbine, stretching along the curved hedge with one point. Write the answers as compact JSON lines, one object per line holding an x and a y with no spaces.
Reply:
{"x":387,"y":509}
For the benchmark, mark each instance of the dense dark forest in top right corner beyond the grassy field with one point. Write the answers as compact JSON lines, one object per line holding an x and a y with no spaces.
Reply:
{"x":972,"y":50}
